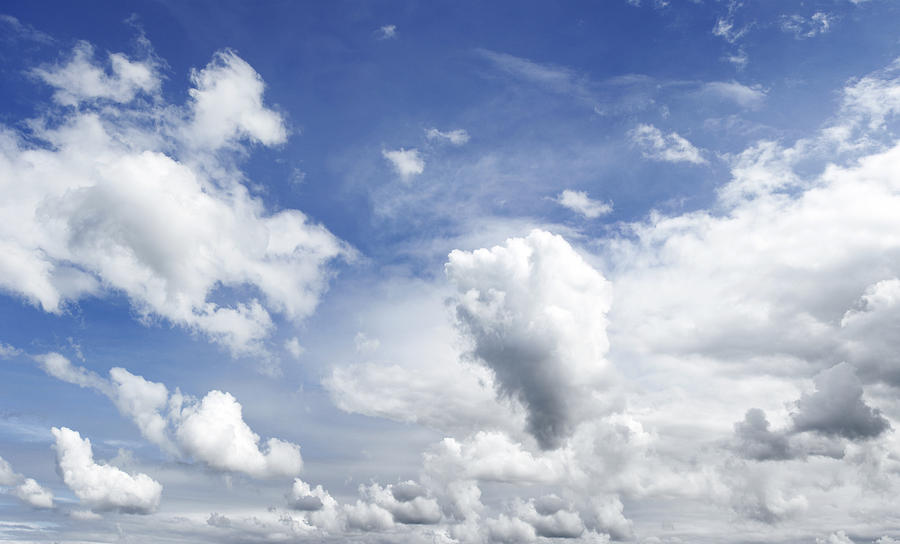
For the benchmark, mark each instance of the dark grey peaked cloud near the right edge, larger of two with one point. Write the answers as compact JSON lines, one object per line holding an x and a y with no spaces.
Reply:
{"x":837,"y":407}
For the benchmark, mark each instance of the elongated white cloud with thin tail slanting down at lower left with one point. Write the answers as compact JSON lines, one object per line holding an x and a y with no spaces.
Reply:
{"x":210,"y":430}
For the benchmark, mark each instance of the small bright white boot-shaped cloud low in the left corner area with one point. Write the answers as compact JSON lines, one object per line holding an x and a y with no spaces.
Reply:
{"x":103,"y":487}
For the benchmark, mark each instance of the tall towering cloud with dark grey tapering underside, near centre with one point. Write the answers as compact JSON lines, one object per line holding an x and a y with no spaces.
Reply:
{"x":535,"y":314}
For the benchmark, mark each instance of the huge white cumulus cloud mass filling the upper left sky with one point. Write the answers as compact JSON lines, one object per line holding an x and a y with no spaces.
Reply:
{"x":142,"y":198}
